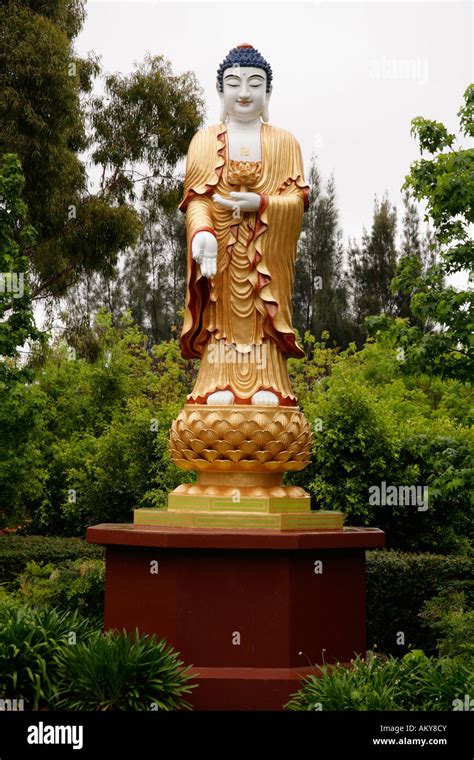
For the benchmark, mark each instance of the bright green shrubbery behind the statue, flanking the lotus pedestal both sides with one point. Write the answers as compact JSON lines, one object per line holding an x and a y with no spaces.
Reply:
{"x":97,"y":443}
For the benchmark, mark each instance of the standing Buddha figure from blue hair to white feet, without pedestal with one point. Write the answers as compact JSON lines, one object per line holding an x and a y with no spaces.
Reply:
{"x":244,"y":198}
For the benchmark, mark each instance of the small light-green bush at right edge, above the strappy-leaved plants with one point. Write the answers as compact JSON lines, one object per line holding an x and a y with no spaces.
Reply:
{"x":449,"y":617}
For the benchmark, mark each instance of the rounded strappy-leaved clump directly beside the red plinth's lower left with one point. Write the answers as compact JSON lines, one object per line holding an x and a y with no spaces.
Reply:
{"x":122,"y":672}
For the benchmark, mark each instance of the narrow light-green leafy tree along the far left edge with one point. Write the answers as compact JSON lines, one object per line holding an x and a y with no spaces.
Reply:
{"x":21,"y":473}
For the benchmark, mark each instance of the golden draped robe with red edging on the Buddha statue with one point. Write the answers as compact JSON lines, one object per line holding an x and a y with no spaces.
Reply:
{"x":239,"y":323}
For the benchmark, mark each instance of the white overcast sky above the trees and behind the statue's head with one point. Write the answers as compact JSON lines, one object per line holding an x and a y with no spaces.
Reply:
{"x":348,"y":76}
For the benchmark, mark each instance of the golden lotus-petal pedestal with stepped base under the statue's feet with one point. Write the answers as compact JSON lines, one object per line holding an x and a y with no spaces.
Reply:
{"x":240,"y":455}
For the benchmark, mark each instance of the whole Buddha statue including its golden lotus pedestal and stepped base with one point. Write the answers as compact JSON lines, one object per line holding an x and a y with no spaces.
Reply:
{"x":241,"y":428}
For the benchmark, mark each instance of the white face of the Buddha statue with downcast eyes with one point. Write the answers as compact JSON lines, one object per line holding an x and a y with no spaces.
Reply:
{"x":245,"y":94}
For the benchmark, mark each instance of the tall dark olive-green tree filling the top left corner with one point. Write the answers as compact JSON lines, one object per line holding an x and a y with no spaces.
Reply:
{"x":42,"y":83}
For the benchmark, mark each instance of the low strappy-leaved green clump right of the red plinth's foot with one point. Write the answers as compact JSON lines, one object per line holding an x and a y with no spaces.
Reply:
{"x":415,"y":682}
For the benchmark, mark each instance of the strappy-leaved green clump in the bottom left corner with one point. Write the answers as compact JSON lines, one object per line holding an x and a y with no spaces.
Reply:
{"x":29,"y":642}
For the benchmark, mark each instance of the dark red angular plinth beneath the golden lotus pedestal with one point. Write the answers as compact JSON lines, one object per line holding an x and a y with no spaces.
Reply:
{"x":292,"y":599}
